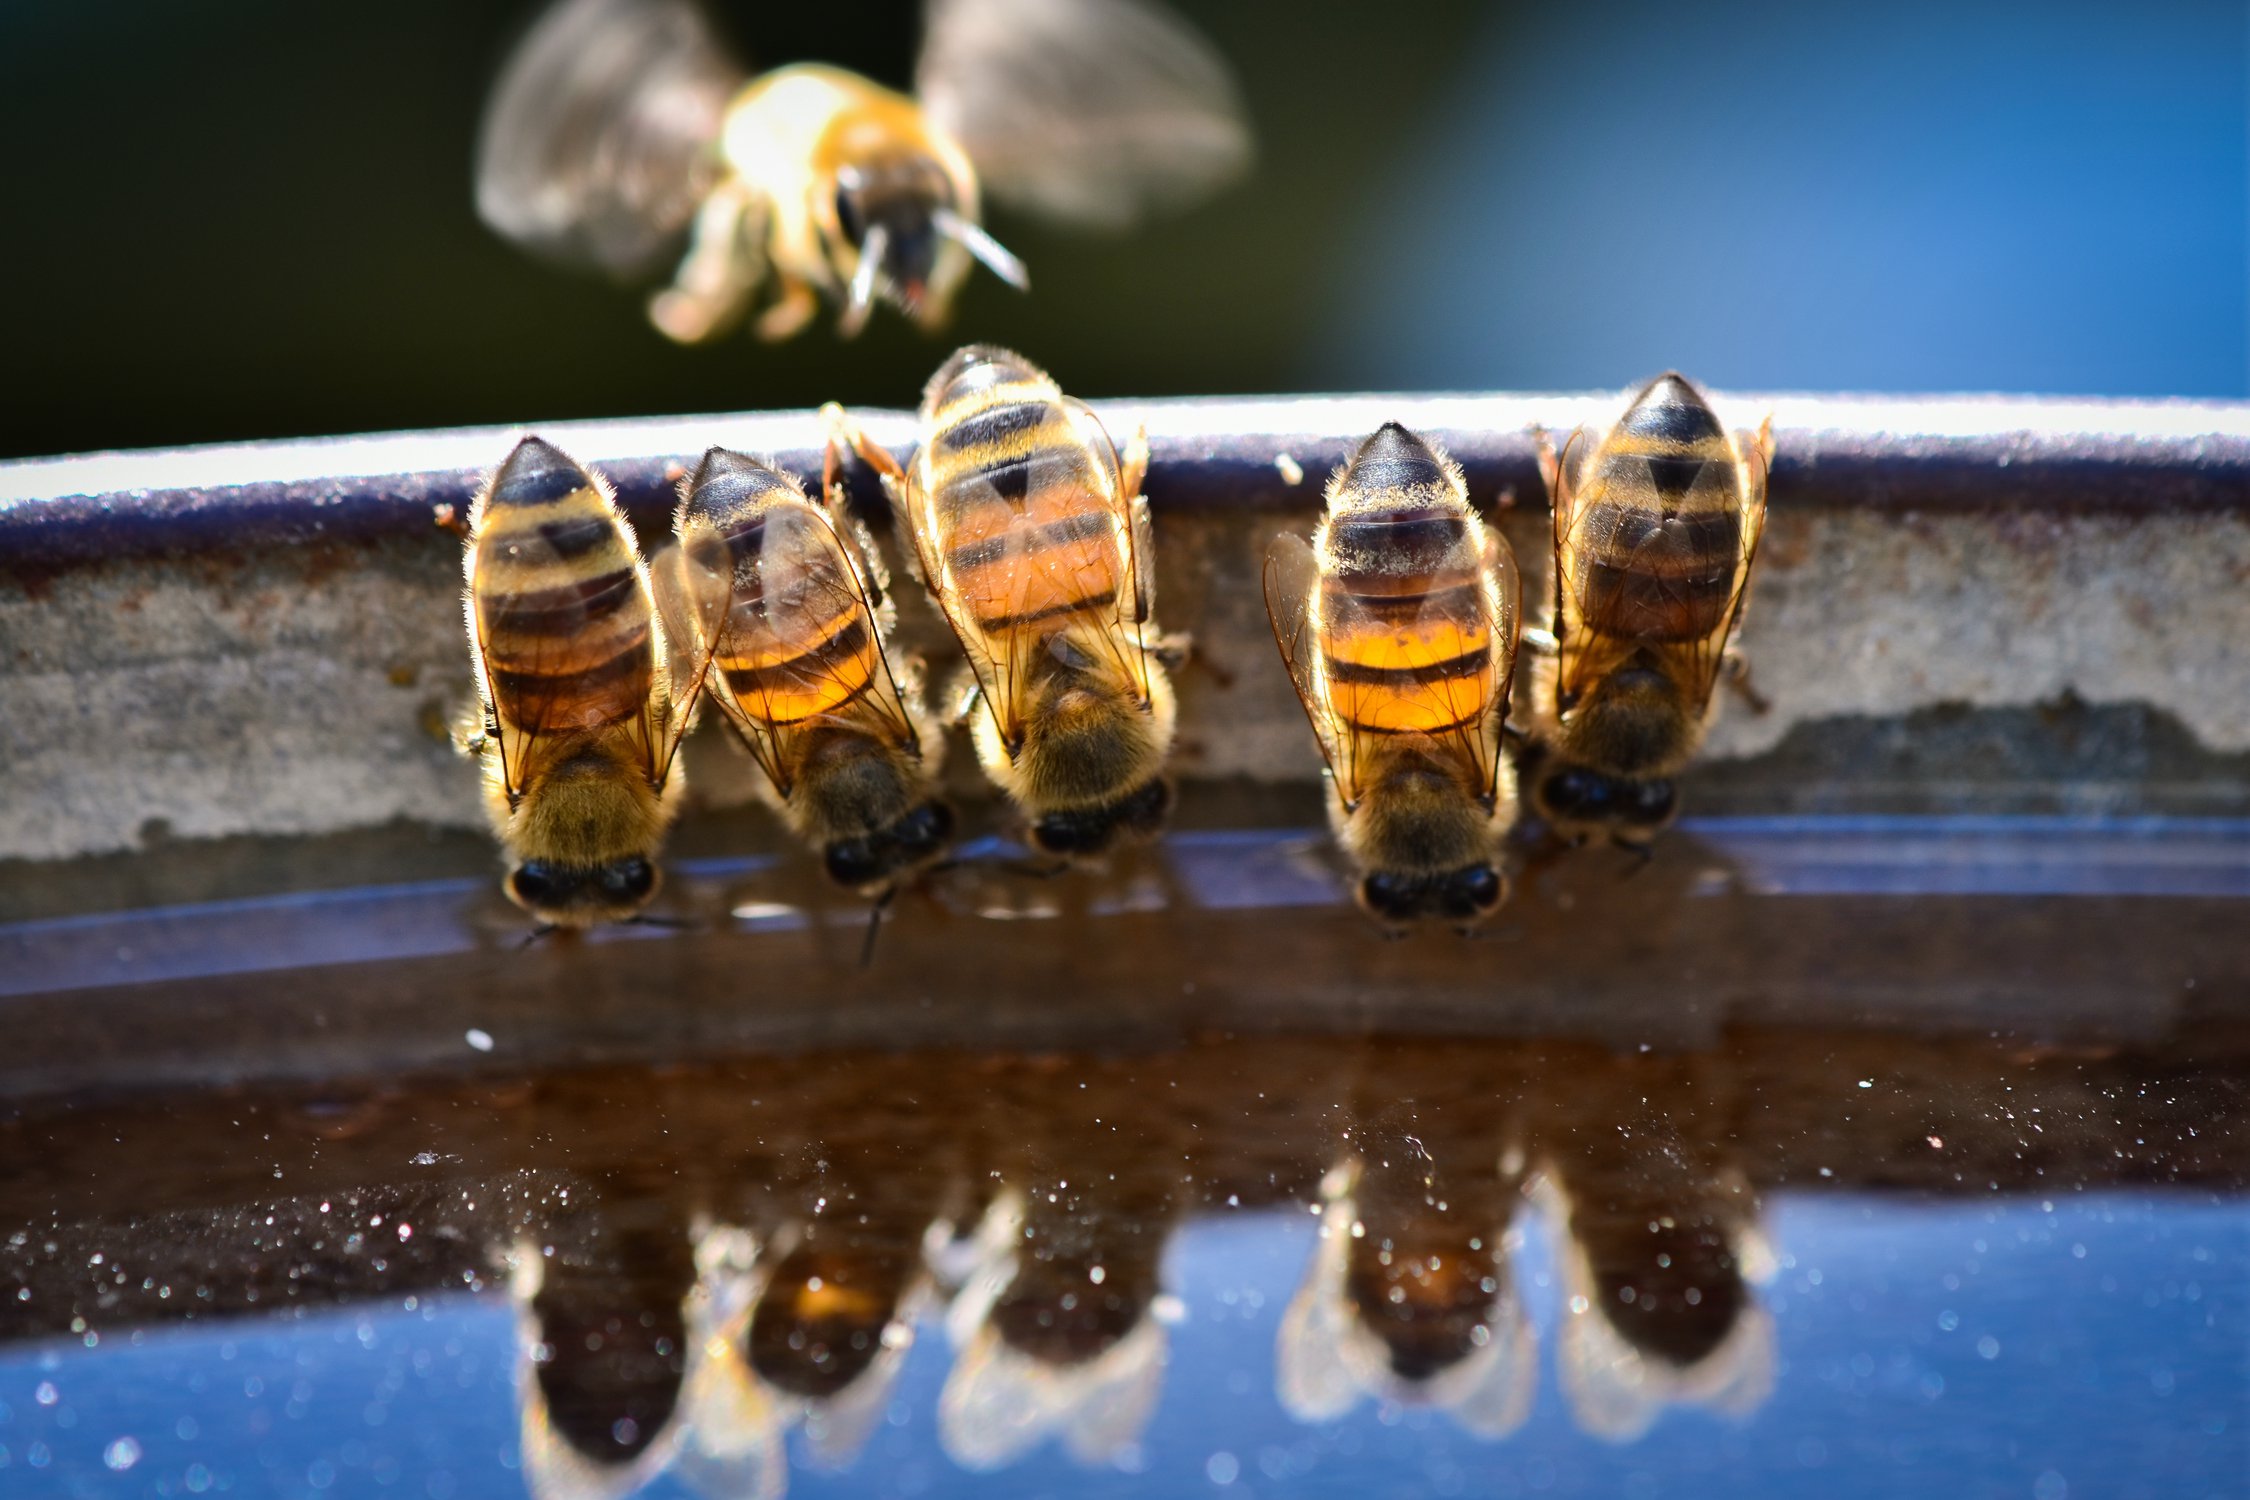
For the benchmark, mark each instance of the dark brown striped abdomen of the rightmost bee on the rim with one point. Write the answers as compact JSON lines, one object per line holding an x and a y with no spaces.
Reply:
{"x":1655,"y":550}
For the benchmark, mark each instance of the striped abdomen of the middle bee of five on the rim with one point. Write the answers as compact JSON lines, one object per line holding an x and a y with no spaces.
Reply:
{"x":1023,"y":509}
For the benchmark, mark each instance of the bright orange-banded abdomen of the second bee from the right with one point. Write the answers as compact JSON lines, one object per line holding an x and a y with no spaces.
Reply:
{"x":1405,"y":624}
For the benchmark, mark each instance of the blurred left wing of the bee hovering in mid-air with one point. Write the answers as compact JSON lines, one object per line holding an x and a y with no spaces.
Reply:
{"x":602,"y":136}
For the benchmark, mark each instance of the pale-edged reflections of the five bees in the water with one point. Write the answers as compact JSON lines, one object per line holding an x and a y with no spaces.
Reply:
{"x":1061,"y":1326}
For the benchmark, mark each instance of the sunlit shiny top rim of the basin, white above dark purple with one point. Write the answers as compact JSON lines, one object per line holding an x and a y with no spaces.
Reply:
{"x":1900,"y":453}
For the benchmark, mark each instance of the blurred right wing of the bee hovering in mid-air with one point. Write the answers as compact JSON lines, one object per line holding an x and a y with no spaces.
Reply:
{"x":1088,"y":111}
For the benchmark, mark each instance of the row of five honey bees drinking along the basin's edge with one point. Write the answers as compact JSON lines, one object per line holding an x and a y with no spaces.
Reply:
{"x":1401,"y":624}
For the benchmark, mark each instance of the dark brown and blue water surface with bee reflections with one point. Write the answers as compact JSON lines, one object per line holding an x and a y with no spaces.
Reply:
{"x":1821,"y":1157}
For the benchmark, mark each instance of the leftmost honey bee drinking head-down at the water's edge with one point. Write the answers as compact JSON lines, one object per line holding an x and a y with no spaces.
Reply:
{"x":582,"y":692}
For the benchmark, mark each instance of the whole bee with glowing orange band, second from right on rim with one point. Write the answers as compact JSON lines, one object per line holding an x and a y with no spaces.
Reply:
{"x":1401,"y":626}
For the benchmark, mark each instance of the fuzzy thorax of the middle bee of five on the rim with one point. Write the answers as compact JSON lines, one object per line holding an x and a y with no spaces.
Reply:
{"x":1088,"y":741}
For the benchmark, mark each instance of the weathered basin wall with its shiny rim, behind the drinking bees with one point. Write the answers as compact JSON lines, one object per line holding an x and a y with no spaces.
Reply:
{"x":267,"y":638}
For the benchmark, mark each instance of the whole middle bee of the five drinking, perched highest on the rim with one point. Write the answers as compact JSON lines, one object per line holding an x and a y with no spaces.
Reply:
{"x":1034,"y":539}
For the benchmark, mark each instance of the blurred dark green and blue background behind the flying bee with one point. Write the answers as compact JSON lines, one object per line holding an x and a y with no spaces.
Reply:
{"x":253,"y":219}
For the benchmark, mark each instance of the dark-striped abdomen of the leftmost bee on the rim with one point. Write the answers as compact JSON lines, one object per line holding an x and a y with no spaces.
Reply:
{"x":561,"y":608}
